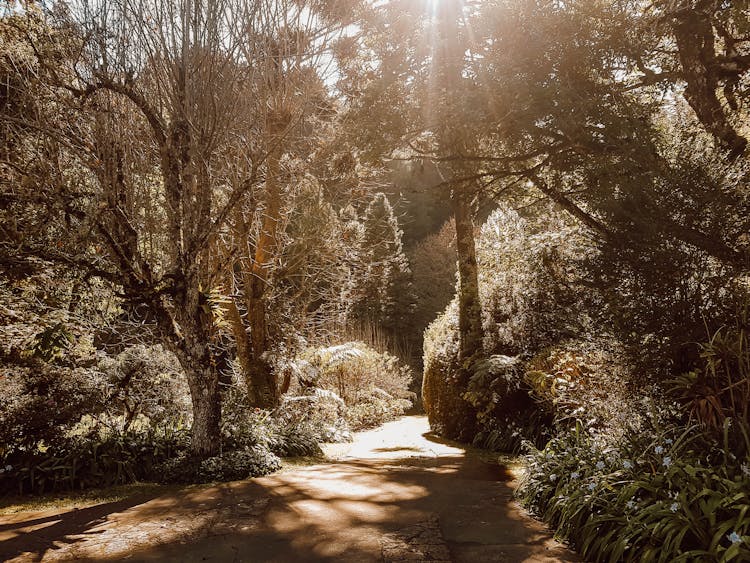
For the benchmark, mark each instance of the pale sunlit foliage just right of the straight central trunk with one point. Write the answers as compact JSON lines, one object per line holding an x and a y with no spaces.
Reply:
{"x":529,"y":277}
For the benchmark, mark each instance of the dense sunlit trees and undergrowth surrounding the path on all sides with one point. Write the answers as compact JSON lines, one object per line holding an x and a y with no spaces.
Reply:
{"x":232,"y":229}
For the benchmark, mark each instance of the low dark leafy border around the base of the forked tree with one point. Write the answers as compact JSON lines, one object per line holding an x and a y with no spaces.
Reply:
{"x":84,"y":452}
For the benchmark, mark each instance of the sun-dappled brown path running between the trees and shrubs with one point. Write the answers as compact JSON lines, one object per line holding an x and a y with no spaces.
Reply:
{"x":395,"y":494}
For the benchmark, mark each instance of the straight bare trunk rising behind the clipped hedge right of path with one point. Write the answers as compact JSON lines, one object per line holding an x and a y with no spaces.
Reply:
{"x":469,"y":308}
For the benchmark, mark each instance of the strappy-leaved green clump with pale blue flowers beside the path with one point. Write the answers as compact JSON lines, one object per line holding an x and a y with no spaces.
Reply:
{"x":670,"y":495}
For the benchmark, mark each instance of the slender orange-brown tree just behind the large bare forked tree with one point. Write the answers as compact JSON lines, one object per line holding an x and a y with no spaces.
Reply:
{"x":290,"y":45}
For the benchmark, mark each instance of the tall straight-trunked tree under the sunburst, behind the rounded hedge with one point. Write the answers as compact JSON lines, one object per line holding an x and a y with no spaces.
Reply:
{"x":408,"y":102}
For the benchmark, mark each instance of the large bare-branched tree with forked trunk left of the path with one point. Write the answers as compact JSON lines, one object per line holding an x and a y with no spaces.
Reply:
{"x":155,"y":160}
